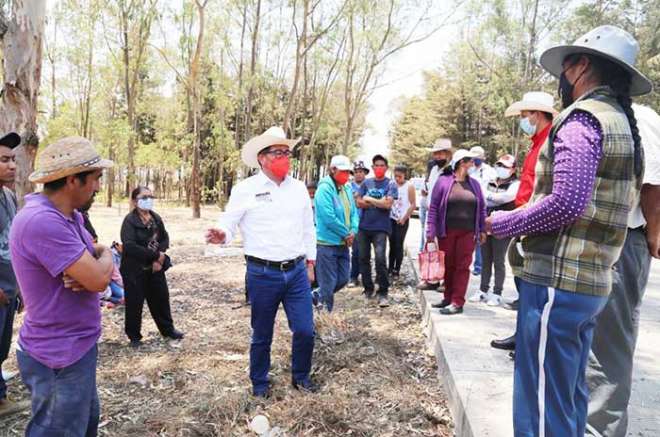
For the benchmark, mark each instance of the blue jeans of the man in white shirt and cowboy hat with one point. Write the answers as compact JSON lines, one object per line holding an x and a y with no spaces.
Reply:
{"x":267,"y":288}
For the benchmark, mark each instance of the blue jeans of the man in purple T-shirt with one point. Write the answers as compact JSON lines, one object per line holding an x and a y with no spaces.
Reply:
{"x":65,"y":402}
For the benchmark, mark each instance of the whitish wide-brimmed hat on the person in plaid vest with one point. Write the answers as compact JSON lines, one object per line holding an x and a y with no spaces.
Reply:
{"x":609,"y":42}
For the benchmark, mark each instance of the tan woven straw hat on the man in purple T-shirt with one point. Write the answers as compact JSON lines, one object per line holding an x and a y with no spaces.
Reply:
{"x":66,"y":157}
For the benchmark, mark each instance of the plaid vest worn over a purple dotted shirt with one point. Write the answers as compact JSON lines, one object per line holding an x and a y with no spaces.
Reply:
{"x":579,"y":257}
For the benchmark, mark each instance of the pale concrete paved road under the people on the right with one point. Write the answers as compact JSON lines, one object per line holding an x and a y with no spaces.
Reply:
{"x":479,"y":378}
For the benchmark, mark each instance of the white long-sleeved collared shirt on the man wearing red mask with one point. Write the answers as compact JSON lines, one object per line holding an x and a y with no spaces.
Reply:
{"x":276,"y":222}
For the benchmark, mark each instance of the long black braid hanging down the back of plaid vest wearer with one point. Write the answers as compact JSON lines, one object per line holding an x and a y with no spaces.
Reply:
{"x":619,"y":81}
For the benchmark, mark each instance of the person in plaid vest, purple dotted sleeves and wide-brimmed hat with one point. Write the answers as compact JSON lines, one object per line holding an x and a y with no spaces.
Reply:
{"x":588,"y":176}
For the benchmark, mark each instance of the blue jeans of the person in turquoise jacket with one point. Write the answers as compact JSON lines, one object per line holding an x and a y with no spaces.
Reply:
{"x":332,"y":263}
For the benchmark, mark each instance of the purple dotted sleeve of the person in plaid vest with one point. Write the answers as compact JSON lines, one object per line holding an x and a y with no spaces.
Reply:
{"x":578,"y":150}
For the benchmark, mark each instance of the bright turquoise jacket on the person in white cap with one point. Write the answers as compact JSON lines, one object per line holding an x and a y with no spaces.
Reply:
{"x":331,"y":226}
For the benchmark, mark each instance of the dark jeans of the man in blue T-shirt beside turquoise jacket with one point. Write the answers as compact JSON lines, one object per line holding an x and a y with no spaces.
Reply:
{"x":379,"y":240}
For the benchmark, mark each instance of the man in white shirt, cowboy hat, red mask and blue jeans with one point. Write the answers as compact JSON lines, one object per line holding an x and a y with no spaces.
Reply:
{"x":274,"y":214}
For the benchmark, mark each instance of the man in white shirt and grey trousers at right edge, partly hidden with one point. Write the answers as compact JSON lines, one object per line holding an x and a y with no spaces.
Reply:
{"x":609,"y":374}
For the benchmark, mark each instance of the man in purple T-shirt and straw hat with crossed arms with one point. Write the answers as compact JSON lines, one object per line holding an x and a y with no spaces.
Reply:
{"x":61,"y":274}
